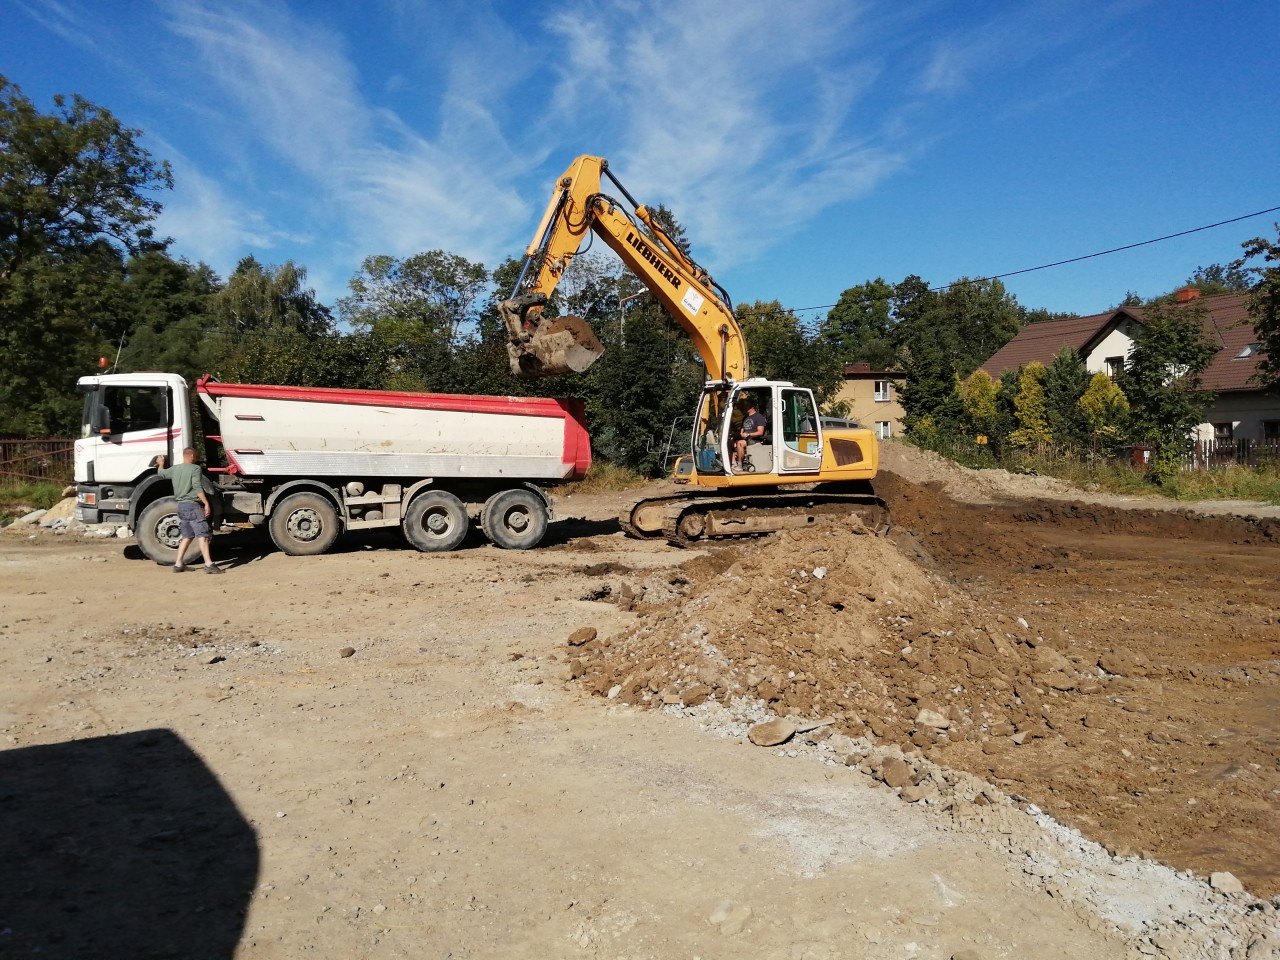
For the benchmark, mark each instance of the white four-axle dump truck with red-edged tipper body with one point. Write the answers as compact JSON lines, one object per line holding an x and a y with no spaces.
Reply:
{"x":312,"y":464}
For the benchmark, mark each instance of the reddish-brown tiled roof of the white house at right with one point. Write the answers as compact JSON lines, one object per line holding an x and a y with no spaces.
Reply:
{"x":1227,"y":323}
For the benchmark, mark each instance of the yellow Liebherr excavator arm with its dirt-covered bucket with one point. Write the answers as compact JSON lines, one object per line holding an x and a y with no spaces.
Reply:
{"x":551,"y":346}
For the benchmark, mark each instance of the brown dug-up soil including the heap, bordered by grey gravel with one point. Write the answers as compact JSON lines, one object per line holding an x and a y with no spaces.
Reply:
{"x":1035,"y":644}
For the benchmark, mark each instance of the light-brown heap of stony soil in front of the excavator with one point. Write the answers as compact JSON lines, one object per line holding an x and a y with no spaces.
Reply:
{"x":815,"y":624}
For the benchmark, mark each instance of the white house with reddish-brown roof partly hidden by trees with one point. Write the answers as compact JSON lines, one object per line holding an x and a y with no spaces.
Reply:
{"x":1241,"y":412}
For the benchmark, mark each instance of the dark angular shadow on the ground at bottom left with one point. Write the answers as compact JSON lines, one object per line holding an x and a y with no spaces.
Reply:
{"x":124,"y":847}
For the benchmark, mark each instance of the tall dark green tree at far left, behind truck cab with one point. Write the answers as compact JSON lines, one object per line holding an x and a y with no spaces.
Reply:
{"x":75,"y":200}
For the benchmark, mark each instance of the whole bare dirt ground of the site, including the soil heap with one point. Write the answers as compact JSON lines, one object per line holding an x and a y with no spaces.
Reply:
{"x":380,"y":753}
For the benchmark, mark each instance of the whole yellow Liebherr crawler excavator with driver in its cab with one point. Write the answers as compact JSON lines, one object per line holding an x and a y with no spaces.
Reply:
{"x":790,"y":476}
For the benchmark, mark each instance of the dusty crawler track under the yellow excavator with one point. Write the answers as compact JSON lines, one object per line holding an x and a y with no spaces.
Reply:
{"x":688,"y":520}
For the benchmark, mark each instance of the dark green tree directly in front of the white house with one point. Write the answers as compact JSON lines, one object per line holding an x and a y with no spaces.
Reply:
{"x":1162,"y":381}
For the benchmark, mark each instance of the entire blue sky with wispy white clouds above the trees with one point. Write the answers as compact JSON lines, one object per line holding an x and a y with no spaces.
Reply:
{"x":806,"y":145}
